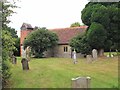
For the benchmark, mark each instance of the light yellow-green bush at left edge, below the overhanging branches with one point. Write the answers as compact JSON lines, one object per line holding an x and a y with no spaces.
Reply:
{"x":7,"y":47}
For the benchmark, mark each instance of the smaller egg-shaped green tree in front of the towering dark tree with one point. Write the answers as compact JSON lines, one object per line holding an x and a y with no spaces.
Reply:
{"x":96,"y":36}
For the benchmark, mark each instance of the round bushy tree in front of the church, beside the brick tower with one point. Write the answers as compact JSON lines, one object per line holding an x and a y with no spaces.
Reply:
{"x":40,"y":40}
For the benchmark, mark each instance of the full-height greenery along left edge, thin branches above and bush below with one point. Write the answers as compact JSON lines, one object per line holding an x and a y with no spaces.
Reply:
{"x":7,"y":39}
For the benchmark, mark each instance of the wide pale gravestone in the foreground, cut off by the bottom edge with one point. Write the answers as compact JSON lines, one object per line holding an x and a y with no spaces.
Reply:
{"x":81,"y":82}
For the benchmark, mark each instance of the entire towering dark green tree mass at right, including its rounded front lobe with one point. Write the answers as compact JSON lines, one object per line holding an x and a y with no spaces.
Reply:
{"x":102,"y":20}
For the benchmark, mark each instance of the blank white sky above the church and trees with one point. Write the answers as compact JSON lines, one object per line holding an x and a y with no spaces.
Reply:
{"x":47,"y":13}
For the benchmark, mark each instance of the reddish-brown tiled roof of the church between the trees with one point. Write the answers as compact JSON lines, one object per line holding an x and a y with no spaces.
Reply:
{"x":66,"y":34}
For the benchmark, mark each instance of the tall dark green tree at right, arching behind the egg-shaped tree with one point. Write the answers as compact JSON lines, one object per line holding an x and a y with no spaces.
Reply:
{"x":107,"y":15}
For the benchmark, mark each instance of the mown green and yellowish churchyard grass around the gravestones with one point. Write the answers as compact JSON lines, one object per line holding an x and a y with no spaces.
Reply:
{"x":58,"y":72}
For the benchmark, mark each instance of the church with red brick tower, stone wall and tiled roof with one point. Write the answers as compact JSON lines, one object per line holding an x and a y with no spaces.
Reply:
{"x":62,"y":50}
